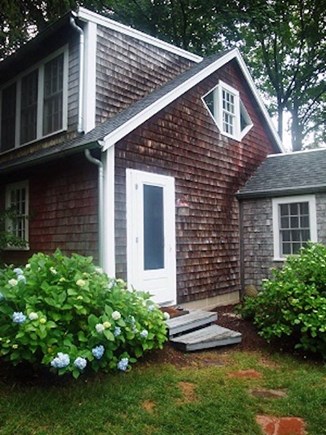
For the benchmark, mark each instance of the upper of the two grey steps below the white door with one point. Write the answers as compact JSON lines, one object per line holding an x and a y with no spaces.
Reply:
{"x":194,"y":320}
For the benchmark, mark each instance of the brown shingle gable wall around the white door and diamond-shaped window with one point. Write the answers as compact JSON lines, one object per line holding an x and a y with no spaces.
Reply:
{"x":183,"y":141}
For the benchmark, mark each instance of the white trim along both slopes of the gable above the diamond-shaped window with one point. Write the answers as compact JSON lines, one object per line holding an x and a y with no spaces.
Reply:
{"x":171,"y":96}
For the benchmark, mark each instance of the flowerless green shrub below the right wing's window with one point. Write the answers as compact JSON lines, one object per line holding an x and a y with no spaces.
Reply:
{"x":292,"y":304}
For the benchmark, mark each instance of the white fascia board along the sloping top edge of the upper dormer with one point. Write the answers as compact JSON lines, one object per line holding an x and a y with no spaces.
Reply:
{"x":86,"y":15}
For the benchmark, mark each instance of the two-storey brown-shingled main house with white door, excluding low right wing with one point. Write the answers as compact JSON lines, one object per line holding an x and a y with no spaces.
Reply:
{"x":118,"y":145}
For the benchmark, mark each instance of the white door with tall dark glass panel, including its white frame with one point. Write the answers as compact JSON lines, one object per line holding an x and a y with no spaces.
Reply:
{"x":151,"y":262}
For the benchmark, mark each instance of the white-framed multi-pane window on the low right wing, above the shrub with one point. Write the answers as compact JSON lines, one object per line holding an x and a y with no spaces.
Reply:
{"x":294,"y":224}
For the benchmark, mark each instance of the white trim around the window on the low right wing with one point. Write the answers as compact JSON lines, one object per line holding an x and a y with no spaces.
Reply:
{"x":311,"y":199}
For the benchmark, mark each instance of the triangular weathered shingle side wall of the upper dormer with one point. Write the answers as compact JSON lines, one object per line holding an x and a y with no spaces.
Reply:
{"x":128,"y":69}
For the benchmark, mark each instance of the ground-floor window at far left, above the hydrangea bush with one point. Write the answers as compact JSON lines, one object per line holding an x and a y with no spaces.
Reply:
{"x":17,"y":203}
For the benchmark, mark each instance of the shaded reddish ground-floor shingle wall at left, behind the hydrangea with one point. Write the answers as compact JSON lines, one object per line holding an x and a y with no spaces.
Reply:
{"x":62,"y":208}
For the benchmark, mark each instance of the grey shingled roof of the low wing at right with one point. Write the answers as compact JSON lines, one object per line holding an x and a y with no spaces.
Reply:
{"x":288,"y":174}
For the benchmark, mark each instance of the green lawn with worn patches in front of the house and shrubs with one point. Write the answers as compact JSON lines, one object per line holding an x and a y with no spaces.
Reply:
{"x":161,"y":399}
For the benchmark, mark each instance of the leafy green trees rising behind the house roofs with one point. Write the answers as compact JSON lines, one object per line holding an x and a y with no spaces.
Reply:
{"x":283,"y":41}
